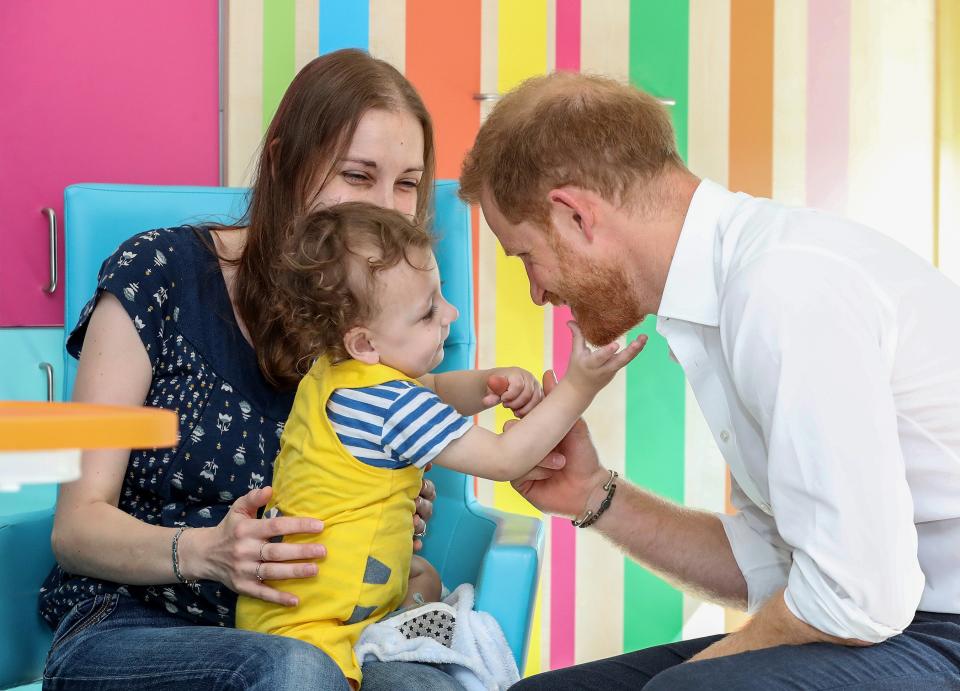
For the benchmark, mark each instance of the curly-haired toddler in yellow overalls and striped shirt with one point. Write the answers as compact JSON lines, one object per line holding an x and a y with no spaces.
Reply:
{"x":362,"y":302}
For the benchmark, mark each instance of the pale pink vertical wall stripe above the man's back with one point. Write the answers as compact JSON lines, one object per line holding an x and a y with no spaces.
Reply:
{"x":828,"y":103}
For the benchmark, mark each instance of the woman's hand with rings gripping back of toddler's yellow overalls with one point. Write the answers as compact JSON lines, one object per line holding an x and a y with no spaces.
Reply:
{"x":239,"y":549}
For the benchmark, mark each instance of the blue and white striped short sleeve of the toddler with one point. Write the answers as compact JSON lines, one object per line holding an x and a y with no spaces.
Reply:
{"x":418,"y":426}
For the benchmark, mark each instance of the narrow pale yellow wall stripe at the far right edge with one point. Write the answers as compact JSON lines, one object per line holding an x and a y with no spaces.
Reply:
{"x":947,"y":181}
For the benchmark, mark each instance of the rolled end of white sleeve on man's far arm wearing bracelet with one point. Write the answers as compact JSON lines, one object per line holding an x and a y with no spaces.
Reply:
{"x":762,"y":556}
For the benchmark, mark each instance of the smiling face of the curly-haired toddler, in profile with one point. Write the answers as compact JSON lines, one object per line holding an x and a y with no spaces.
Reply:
{"x":414,"y":318}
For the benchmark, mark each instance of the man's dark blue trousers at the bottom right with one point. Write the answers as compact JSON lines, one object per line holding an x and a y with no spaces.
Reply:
{"x":924,"y":657}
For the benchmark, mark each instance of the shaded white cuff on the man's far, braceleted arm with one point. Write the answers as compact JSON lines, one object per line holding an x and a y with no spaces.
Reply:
{"x":764,"y":566}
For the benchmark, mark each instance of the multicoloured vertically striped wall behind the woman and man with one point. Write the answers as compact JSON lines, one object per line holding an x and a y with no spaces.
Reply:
{"x":849,"y":105}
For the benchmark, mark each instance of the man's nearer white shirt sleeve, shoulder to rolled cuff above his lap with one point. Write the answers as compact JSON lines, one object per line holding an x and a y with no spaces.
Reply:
{"x":809,"y":342}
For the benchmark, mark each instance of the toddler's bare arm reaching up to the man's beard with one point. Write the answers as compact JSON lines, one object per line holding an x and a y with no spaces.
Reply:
{"x":510,"y":455}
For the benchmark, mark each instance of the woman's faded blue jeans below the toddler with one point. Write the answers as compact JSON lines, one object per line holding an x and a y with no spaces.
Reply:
{"x":116,"y":642}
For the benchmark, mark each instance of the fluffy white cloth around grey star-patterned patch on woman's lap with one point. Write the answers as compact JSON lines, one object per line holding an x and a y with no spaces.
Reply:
{"x":480,"y":658}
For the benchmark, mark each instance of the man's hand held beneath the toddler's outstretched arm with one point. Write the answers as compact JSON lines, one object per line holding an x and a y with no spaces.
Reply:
{"x":563,"y":481}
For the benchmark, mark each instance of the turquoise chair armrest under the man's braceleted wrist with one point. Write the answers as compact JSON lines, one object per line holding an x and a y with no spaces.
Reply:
{"x":507,"y":585}
